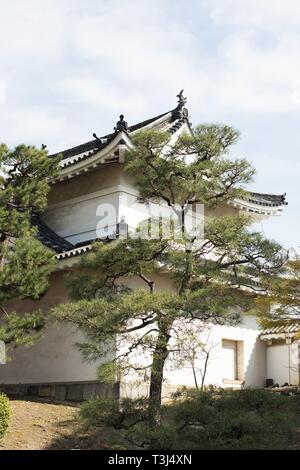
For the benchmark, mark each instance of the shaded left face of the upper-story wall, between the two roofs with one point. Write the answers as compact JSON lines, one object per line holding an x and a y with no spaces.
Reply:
{"x":78,"y":206}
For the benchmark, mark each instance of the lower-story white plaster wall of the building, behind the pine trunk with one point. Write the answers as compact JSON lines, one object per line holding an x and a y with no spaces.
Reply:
{"x":54,"y":358}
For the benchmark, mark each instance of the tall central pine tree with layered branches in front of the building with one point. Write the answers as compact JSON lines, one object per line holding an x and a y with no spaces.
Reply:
{"x":208,"y":274}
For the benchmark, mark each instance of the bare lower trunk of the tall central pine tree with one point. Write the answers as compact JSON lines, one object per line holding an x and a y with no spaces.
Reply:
{"x":156,"y":379}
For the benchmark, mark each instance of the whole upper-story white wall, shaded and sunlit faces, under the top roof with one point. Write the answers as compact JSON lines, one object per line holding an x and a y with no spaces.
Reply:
{"x":90,"y":205}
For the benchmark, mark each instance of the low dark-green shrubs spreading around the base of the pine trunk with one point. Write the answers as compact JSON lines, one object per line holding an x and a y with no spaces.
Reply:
{"x":213,"y":418}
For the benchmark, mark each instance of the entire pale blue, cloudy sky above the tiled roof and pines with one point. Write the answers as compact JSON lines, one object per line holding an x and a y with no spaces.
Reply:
{"x":68,"y":68}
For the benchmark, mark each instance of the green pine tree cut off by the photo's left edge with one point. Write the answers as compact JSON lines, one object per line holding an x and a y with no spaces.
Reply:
{"x":25,"y":264}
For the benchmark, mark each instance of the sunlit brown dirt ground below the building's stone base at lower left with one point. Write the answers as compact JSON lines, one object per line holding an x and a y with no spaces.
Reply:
{"x":37,"y":426}
